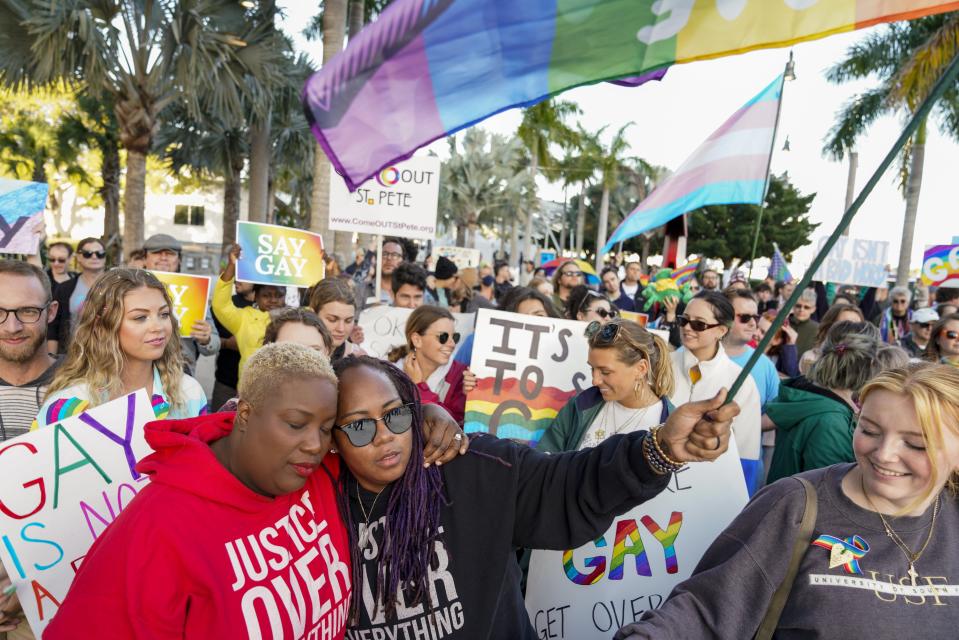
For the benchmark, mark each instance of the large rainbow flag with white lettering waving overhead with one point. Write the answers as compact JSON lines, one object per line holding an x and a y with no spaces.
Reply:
{"x":428,"y":68}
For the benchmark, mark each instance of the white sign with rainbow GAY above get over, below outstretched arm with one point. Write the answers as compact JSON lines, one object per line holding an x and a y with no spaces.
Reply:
{"x":590,"y":592}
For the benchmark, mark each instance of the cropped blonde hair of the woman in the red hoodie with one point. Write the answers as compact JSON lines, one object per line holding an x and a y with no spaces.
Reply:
{"x":275,"y":363}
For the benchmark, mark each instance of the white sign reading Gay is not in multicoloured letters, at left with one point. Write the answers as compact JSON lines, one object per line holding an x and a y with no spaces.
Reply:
{"x":61,"y":486}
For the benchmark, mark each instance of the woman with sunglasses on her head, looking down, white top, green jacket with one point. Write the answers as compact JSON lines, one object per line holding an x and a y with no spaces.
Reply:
{"x":632,"y":381}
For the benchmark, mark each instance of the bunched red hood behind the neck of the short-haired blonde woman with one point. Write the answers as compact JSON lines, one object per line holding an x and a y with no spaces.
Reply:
{"x":183,"y":459}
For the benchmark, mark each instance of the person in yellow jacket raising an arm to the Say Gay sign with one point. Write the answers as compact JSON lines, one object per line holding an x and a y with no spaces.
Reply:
{"x":247,"y":324}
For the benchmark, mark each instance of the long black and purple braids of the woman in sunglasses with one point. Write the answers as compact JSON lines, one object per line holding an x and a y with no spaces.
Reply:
{"x":412,"y":513}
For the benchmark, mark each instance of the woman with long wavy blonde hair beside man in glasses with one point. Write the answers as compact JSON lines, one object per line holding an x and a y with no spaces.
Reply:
{"x":125,"y":340}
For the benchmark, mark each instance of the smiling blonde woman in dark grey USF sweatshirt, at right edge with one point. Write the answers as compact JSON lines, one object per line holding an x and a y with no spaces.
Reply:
{"x":881,"y":541}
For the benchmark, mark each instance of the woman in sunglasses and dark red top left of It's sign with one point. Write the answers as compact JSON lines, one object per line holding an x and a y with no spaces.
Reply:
{"x":427,"y":358}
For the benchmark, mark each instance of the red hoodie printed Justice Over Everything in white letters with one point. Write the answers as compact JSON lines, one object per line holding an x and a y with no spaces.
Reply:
{"x":199,"y":555}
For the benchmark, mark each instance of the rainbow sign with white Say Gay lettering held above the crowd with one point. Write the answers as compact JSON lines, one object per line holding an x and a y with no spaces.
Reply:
{"x":277,"y":255}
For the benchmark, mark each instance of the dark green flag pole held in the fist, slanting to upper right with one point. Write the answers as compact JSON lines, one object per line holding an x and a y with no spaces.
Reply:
{"x":947,"y":80}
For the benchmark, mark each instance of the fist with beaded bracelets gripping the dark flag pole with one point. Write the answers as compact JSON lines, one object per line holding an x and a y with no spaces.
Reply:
{"x":699,"y":431}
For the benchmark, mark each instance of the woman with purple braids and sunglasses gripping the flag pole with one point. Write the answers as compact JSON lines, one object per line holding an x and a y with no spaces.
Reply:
{"x":432,"y":548}
